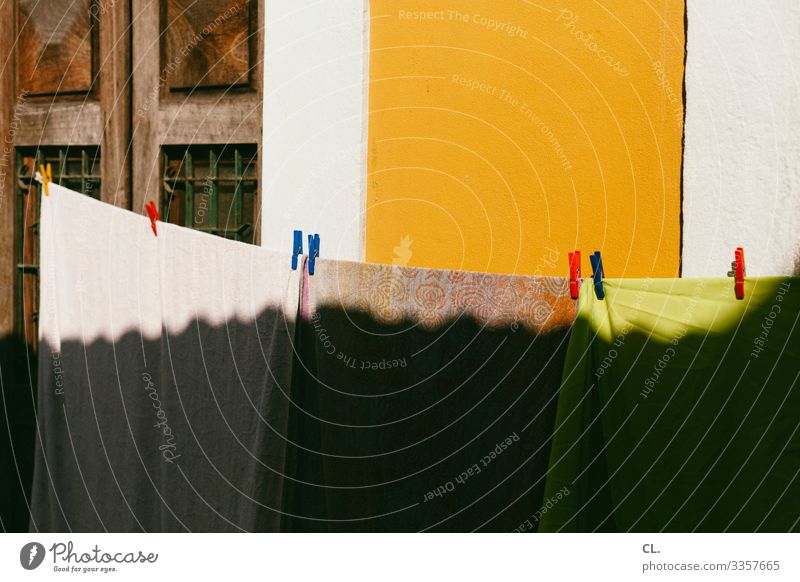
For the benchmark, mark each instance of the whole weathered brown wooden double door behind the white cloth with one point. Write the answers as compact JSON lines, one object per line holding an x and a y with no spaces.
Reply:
{"x":131,"y":101}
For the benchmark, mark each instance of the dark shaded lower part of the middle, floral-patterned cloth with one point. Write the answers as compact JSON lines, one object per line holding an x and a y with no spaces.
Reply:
{"x":415,"y":430}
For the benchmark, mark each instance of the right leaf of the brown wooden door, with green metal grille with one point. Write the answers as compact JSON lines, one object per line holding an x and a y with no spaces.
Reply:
{"x":197,"y":112}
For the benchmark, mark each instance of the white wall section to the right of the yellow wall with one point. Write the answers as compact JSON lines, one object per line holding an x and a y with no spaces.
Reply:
{"x":742,"y":156}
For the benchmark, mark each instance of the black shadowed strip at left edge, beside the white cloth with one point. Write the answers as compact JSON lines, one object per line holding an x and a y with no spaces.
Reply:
{"x":17,"y":429}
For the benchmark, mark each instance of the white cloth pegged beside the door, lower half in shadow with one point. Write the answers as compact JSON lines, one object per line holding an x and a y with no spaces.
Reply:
{"x":164,"y":373}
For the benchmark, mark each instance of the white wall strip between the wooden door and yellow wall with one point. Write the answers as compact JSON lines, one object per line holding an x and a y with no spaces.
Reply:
{"x":315,"y":123}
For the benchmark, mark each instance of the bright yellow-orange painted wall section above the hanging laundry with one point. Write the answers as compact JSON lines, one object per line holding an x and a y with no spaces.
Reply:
{"x":503,"y":134}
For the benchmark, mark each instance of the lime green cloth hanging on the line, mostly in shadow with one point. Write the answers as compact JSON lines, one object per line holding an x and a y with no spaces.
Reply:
{"x":679,"y":409}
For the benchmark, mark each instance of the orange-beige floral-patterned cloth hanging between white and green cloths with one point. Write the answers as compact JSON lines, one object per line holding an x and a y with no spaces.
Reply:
{"x":425,"y":398}
